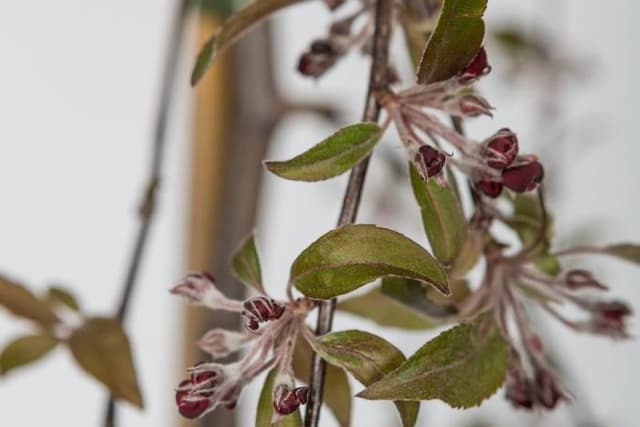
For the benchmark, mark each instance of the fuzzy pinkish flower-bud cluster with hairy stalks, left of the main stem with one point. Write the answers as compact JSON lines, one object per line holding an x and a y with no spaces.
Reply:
{"x":272,"y":328}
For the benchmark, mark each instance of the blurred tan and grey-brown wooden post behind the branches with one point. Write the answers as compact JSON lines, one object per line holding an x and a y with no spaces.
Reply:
{"x":235,"y":108}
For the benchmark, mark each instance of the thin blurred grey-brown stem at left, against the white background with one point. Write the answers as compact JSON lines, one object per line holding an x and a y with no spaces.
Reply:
{"x":147,"y":208}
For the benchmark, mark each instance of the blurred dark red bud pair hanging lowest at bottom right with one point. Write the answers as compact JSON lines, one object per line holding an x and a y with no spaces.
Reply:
{"x":541,"y":391}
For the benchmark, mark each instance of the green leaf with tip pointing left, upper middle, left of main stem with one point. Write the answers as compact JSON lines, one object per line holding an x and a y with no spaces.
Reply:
{"x":331,"y":157}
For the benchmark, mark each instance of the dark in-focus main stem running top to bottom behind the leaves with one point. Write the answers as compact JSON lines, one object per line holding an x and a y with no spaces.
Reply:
{"x":377,"y":82}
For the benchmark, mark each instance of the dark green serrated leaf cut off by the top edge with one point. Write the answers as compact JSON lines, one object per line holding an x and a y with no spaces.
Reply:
{"x":454,"y":42}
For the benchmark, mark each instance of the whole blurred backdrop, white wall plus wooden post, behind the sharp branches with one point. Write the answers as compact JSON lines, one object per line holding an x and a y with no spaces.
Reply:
{"x":79,"y":89}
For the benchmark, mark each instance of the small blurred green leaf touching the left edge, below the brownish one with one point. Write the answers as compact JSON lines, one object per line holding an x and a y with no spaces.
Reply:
{"x":25,"y":350}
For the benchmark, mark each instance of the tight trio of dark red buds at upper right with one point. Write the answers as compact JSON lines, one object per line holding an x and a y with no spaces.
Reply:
{"x":518,"y":173}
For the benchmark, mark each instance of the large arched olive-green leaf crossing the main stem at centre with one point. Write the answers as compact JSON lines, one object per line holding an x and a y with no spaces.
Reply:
{"x":353,"y":255}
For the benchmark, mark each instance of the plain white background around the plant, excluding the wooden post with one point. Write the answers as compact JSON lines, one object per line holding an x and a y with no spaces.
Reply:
{"x":78,"y":84}
